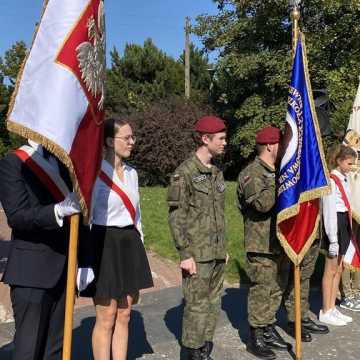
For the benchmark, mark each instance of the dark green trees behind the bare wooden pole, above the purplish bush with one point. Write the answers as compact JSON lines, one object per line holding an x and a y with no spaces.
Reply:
{"x":145,"y":74}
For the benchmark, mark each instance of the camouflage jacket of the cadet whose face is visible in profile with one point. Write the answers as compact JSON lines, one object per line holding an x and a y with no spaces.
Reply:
{"x":196,"y":199}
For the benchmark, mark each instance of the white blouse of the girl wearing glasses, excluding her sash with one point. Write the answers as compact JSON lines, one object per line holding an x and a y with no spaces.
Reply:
{"x":108,"y":207}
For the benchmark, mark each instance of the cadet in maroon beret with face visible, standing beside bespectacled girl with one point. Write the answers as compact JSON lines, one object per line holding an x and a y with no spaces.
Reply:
{"x":196,"y":199}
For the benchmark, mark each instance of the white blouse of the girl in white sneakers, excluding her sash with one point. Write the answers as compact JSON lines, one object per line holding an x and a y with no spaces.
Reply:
{"x":332,"y":204}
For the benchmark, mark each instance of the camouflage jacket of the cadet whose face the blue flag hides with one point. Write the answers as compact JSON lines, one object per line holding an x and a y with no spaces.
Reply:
{"x":256,"y":196}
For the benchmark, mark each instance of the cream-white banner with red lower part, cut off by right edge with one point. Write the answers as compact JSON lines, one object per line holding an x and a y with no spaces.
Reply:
{"x":352,"y":138}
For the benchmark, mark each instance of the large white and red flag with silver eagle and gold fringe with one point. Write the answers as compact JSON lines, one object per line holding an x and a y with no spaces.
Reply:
{"x":59,"y":96}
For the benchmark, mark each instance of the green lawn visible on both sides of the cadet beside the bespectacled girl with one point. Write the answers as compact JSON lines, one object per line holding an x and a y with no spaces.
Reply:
{"x":157,"y":233}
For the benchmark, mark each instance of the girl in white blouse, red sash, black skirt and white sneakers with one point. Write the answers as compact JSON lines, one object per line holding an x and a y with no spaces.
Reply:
{"x":337,"y":225}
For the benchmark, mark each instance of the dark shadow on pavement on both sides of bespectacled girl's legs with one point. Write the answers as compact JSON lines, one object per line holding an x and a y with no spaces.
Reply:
{"x":138,"y":344}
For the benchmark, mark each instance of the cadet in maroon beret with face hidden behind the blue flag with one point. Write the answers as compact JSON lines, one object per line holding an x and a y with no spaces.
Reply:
{"x":256,"y":197}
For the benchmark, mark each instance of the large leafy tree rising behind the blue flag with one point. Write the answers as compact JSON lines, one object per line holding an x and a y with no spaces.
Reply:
{"x":253,"y":38}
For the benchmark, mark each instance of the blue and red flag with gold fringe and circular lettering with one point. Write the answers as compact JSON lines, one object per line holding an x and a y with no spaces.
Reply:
{"x":303,"y":176}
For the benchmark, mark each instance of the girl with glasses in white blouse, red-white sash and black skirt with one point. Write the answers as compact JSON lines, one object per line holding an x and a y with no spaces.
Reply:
{"x":122,"y":268}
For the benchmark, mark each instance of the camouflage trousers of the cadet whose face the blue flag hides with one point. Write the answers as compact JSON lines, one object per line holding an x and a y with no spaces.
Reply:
{"x":266,"y":290}
